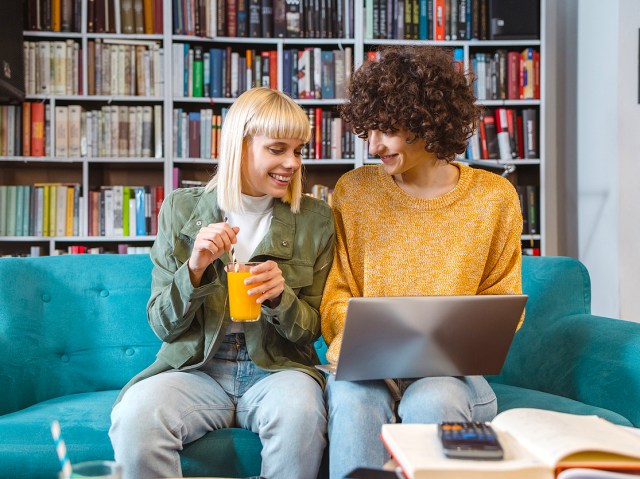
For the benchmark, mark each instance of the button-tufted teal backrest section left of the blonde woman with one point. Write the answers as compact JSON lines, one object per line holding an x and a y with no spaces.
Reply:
{"x":70,"y":324}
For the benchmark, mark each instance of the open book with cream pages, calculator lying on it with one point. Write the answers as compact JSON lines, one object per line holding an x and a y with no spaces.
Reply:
{"x":537,"y":445}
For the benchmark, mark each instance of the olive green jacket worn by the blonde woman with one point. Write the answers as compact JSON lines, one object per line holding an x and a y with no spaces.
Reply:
{"x":192,"y":322}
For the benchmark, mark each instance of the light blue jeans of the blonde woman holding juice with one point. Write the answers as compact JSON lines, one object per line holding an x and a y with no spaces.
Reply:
{"x":158,"y":415}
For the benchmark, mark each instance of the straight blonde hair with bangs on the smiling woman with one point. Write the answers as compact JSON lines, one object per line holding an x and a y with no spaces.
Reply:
{"x":258,"y":111}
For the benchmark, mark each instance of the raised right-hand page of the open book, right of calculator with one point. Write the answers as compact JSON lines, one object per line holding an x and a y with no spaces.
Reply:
{"x":554,"y":436}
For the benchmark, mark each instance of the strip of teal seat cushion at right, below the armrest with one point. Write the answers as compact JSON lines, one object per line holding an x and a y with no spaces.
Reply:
{"x":510,"y":397}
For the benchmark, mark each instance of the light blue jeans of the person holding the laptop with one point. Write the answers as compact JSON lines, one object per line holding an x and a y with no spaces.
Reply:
{"x":357,"y":411}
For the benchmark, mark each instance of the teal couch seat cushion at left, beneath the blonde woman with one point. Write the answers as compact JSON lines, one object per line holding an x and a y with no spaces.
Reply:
{"x":27,"y":449}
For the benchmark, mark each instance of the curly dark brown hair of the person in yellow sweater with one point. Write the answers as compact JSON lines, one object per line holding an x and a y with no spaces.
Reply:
{"x":416,"y":88}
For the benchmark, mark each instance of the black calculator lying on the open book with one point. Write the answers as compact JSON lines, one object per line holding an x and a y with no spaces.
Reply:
{"x":469,"y":440}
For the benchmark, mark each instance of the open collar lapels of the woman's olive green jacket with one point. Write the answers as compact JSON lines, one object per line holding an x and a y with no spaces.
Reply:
{"x":278,"y":241}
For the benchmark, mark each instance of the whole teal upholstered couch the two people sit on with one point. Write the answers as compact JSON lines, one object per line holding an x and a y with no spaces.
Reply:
{"x":73,"y":330}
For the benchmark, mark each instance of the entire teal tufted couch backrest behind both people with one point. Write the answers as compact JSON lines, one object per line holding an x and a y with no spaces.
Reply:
{"x":77,"y":323}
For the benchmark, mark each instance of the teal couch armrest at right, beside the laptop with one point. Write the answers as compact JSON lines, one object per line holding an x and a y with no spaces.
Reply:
{"x":591,"y":359}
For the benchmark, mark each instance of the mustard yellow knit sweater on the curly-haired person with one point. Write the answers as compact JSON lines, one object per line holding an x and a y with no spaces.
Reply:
{"x":390,"y":243}
